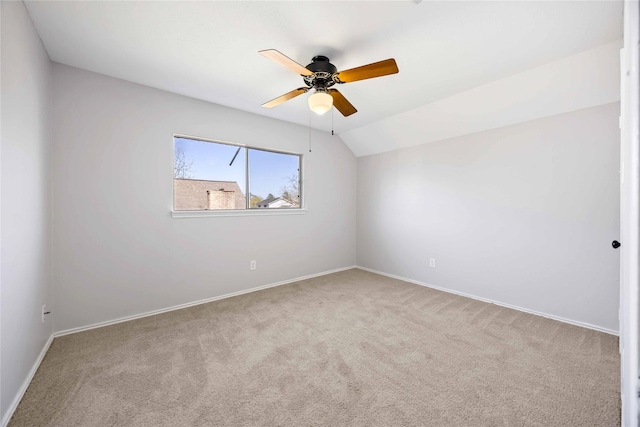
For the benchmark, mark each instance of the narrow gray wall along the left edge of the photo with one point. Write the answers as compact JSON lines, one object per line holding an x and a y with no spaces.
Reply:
{"x":26,"y":225}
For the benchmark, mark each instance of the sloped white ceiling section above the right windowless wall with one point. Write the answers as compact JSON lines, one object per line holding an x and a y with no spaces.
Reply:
{"x":579,"y":81}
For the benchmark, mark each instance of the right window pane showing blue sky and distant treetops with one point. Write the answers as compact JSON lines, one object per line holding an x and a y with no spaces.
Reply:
{"x":274,"y":180}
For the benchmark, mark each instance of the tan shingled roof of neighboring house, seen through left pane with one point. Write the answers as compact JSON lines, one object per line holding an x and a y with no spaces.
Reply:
{"x":192,"y":194}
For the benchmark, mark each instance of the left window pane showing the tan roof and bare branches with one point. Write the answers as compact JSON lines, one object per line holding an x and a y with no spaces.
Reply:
{"x":205,"y":177}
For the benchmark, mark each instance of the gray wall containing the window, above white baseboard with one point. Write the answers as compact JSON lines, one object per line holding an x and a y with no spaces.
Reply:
{"x":118,"y":252}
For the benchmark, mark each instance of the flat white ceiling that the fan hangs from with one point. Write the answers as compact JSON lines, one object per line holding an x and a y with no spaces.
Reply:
{"x":209,"y":49}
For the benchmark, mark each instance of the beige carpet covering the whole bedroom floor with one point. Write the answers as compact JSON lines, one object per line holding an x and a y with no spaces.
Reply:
{"x":351,"y":348}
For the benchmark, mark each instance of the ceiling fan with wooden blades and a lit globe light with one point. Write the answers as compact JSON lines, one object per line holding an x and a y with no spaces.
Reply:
{"x":320,"y":75}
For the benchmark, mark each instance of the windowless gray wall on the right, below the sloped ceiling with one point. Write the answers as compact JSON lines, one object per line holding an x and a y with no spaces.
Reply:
{"x":522,"y":215}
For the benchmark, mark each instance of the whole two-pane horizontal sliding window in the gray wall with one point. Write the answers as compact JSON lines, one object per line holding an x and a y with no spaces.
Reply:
{"x":209,"y":175}
